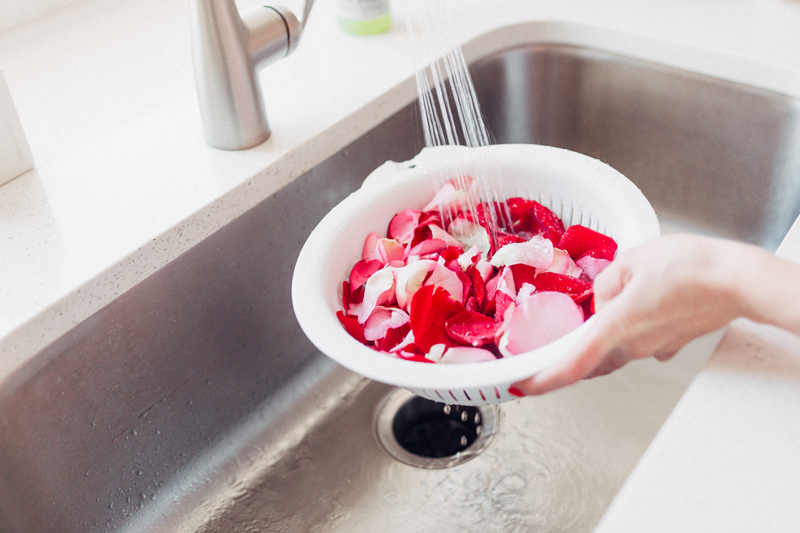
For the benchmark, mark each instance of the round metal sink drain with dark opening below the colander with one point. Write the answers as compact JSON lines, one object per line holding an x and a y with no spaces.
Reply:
{"x":428,"y":434}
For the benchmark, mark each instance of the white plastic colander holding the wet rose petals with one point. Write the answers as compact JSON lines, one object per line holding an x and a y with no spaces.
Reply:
{"x":578,"y":188}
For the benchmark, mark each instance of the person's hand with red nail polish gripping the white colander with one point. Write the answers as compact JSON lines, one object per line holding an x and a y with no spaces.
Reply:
{"x":651,"y":301}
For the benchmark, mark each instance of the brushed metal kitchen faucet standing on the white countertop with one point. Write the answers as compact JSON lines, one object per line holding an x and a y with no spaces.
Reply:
{"x":228,"y":50}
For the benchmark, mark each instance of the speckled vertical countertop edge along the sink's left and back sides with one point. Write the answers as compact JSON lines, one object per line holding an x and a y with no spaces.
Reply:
{"x":29,"y":335}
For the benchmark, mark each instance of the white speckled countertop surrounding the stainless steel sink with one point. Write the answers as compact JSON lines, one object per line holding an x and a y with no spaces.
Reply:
{"x":124,"y":184}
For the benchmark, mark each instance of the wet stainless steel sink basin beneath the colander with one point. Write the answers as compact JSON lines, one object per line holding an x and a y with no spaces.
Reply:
{"x":193,"y":402}
